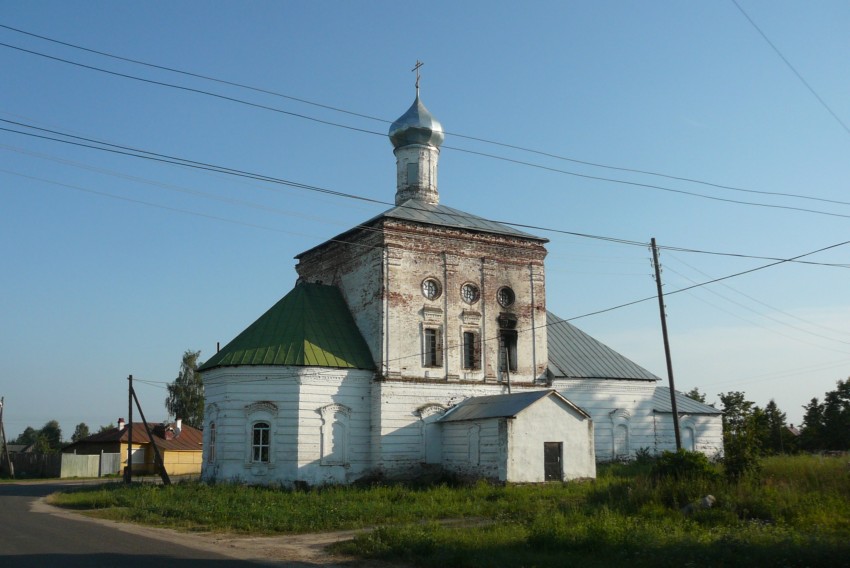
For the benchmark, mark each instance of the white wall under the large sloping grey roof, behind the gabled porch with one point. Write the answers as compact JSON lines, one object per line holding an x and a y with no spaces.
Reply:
{"x":600,"y":398}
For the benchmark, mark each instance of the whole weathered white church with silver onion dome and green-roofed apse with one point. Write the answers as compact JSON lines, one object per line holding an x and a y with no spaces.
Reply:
{"x":420,"y":338}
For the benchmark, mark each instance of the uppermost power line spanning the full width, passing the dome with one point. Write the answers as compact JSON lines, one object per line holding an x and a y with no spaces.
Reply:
{"x":385,"y":121}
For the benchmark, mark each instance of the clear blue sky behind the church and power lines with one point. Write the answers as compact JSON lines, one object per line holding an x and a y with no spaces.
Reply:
{"x":114,"y":265}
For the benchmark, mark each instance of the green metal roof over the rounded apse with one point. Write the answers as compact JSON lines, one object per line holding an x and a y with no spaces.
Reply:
{"x":309,"y":327}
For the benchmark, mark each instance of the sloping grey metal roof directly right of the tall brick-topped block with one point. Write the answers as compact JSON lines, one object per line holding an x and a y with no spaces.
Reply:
{"x":574,"y":354}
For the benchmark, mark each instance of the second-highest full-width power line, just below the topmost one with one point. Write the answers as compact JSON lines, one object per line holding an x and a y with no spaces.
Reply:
{"x":458,"y":149}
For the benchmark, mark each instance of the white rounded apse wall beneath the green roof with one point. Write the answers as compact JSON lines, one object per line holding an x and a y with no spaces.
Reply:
{"x":298,"y":394}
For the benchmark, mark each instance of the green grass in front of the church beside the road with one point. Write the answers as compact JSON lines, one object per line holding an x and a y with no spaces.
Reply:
{"x":797,"y":513}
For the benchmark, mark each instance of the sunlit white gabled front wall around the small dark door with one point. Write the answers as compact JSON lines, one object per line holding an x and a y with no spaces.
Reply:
{"x":549,"y":420}
